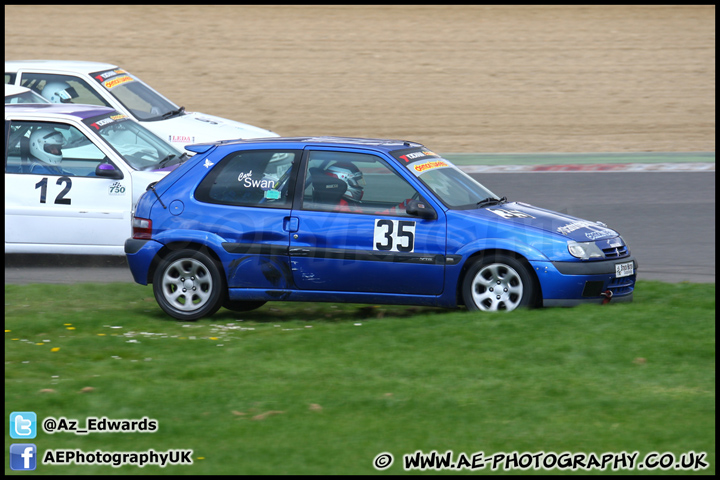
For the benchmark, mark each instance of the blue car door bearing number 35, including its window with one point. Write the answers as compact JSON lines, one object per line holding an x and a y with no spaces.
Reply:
{"x":351,"y":232}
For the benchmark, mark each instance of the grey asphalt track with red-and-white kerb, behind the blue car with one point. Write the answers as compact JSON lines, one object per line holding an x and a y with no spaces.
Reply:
{"x":666,"y":215}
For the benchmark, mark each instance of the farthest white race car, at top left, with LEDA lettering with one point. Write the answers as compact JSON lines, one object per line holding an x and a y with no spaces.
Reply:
{"x":64,"y":81}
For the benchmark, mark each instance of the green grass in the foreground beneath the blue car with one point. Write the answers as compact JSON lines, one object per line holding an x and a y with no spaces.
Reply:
{"x":347,"y":382}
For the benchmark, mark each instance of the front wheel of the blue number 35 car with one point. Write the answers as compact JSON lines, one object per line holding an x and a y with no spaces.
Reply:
{"x":498,"y":283}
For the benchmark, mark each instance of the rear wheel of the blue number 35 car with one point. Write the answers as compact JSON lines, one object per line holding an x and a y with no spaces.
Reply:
{"x":189,"y":285}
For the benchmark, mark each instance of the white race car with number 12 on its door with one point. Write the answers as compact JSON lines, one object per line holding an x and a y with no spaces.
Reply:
{"x":73,"y":175}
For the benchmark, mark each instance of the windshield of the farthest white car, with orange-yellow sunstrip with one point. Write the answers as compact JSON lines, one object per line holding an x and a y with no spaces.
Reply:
{"x":145,"y":103}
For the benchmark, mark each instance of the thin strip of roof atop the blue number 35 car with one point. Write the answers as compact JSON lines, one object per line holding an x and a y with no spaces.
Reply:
{"x":380,"y":144}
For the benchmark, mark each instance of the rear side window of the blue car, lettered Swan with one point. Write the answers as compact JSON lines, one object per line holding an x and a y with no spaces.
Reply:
{"x":250,"y":178}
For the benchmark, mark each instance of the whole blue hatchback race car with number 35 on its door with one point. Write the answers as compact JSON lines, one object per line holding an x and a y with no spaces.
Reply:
{"x":330,"y":219}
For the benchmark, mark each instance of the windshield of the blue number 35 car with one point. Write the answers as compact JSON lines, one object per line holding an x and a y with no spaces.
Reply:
{"x":455,"y":188}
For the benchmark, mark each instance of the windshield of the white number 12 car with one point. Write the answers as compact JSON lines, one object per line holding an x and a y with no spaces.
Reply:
{"x":142,"y":149}
